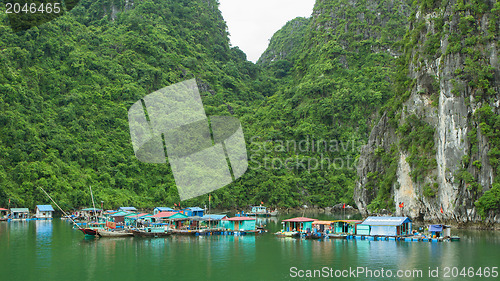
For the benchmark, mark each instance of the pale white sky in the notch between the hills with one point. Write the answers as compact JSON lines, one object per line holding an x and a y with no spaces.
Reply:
{"x":252,"y":23}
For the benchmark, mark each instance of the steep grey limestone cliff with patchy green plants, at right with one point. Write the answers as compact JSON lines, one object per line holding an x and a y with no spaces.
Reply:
{"x":446,"y":50}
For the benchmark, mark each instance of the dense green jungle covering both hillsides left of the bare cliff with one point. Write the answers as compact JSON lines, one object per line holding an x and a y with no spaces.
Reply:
{"x":306,"y":107}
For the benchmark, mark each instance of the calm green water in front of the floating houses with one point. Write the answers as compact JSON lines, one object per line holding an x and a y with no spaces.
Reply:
{"x":52,"y":250}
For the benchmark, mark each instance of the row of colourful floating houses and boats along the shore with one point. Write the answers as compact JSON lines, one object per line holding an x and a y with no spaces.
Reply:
{"x":165,"y":221}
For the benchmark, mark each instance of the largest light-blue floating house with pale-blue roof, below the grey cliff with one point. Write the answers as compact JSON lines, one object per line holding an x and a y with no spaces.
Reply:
{"x":385,"y":226}
